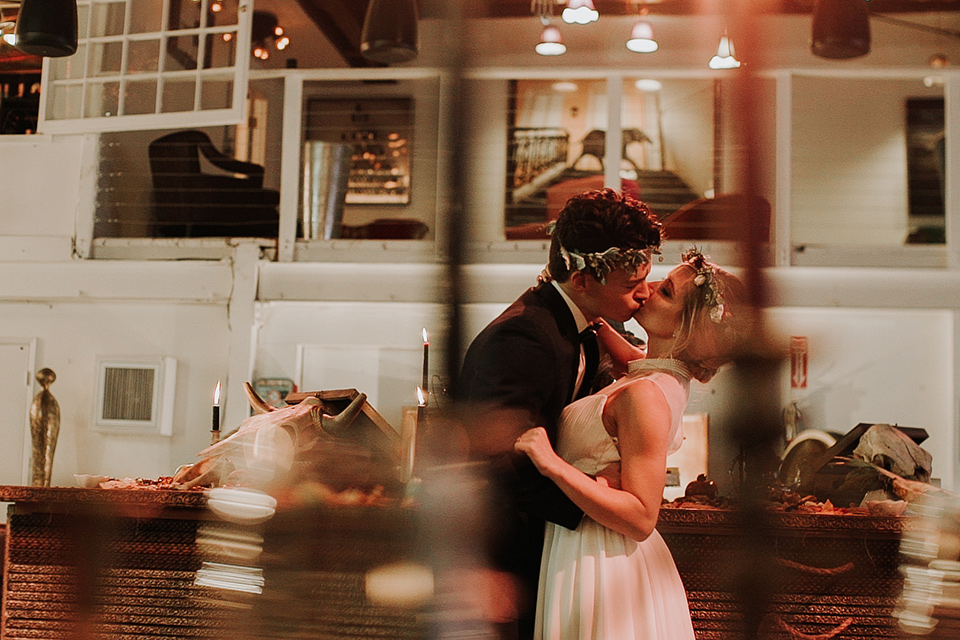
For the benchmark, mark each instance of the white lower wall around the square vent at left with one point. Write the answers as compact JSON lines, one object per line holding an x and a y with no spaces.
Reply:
{"x":71,"y":335}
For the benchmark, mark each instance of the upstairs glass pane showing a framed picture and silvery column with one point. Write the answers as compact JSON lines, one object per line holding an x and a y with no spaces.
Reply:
{"x":359,"y":149}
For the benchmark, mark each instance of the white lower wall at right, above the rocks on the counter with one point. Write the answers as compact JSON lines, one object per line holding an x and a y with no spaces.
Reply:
{"x":877,"y":366}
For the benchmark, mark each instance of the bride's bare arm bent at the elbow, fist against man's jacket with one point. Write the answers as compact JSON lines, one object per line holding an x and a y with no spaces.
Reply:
{"x":643,"y":418}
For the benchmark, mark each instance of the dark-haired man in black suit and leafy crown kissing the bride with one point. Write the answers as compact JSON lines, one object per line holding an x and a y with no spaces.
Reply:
{"x":537,"y":357}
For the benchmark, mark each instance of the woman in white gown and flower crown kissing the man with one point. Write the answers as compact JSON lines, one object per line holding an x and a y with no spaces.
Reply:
{"x":613,"y":577}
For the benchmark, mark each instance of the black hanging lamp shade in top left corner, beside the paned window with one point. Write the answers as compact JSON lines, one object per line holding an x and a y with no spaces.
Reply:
{"x":47,"y":28}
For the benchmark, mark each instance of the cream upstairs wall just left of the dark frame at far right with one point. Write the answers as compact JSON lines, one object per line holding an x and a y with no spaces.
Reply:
{"x":850,"y":160}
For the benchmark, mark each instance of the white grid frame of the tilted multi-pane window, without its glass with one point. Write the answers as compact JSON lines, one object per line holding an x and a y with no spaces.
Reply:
{"x":197,"y":117}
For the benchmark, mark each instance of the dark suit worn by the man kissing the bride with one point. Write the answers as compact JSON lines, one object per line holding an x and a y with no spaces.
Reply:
{"x":525,"y":362}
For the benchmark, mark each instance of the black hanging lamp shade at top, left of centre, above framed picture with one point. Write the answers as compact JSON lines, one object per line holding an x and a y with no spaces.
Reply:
{"x":390,"y":31}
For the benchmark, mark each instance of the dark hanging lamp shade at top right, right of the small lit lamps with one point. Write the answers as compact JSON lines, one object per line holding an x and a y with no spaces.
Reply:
{"x":841,"y":29}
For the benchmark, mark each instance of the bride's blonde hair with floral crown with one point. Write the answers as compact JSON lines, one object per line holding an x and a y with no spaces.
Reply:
{"x":713,"y":319}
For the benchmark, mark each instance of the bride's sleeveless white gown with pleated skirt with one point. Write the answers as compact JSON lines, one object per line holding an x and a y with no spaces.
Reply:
{"x":596,"y":583}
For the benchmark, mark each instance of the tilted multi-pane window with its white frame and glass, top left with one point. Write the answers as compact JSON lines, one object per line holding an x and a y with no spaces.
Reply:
{"x":183,"y":48}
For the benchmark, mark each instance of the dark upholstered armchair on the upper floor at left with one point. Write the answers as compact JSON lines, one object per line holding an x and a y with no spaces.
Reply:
{"x":188,"y":202}
